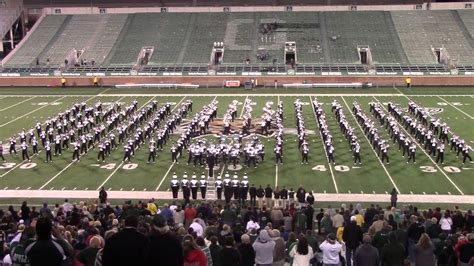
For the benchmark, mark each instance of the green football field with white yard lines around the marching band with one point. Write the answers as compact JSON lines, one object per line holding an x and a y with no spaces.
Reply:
{"x":22,"y":107}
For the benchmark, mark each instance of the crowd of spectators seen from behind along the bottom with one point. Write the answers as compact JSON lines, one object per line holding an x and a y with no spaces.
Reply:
{"x":209,"y":233}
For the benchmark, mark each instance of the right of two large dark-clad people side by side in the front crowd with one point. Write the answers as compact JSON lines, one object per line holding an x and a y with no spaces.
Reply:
{"x":165,"y":248}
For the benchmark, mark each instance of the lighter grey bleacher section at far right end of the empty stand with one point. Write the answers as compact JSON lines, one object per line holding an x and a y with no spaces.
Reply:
{"x":434,"y":29}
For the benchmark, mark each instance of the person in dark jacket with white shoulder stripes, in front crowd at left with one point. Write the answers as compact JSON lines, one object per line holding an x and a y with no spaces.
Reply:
{"x":45,"y":250}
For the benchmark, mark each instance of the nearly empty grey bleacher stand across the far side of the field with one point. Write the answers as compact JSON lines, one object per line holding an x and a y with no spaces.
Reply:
{"x":397,"y":37}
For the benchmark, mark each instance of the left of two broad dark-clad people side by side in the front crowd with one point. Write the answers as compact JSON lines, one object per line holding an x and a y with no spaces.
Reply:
{"x":127,"y":247}
